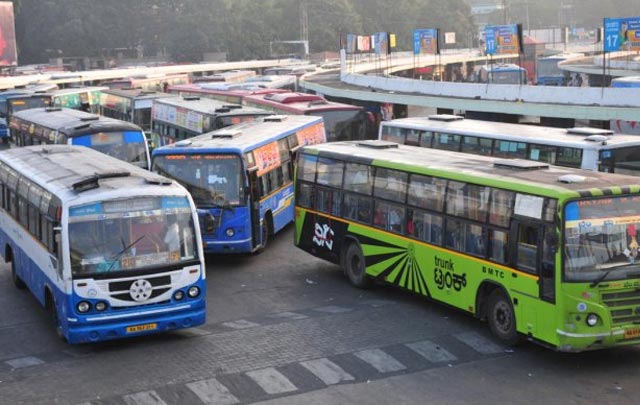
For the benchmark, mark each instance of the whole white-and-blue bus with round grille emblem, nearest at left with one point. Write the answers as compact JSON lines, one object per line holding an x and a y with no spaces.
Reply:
{"x":111,"y":250}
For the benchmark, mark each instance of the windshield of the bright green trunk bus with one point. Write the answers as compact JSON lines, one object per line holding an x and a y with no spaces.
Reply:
{"x":602,"y":237}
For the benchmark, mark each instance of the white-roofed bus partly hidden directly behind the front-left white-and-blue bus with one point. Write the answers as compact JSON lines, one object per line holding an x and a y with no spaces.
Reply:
{"x":120,"y":139}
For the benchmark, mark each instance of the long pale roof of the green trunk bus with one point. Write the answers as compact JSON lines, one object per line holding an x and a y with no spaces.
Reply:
{"x":523,"y":175}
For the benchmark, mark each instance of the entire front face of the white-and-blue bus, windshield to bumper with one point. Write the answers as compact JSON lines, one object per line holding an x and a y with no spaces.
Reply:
{"x":135,"y":266}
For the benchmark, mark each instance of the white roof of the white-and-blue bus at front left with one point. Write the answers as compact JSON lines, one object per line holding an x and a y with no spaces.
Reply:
{"x":77,"y":172}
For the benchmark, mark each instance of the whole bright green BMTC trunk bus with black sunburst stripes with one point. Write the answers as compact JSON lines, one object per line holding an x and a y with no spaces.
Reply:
{"x":542,"y":252}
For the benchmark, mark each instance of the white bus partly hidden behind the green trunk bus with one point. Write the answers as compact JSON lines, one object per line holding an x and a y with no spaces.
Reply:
{"x":585,"y":148}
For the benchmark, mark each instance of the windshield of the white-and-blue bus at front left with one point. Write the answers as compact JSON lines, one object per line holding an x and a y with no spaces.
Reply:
{"x":130,"y":235}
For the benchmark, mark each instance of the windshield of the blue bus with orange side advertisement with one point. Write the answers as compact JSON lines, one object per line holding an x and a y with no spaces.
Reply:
{"x":214,"y":180}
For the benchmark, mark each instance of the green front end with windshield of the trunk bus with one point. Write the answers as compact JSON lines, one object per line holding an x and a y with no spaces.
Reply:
{"x":601,"y":273}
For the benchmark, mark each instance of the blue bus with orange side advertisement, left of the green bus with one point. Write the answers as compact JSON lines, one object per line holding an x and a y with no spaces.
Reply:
{"x":241,"y":178}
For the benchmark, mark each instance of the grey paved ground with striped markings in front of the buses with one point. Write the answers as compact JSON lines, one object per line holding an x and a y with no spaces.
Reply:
{"x":286,"y":328}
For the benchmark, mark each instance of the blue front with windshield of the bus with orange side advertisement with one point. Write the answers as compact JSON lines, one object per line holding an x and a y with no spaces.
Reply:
{"x":219,"y":189}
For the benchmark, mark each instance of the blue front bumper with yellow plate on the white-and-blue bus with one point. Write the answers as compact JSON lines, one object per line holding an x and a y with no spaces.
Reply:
{"x":187,"y":315}
